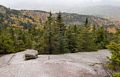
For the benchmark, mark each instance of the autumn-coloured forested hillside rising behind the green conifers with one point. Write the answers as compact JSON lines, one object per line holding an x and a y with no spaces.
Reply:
{"x":40,"y":16}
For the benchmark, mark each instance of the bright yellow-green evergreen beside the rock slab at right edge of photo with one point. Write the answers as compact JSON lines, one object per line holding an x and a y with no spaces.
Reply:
{"x":114,"y":46}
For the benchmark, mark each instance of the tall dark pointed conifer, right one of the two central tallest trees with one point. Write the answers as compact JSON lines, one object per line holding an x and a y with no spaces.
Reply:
{"x":61,"y":34}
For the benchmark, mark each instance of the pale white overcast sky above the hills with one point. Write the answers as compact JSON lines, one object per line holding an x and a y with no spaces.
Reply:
{"x":56,"y":5}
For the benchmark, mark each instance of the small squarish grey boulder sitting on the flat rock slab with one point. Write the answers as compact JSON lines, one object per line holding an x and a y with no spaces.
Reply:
{"x":31,"y":54}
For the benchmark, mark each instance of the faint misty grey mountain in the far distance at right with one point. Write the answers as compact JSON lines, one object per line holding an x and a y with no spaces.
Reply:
{"x":102,"y":11}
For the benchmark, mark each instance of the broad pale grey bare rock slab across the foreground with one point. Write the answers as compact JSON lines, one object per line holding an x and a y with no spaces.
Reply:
{"x":82,"y":64}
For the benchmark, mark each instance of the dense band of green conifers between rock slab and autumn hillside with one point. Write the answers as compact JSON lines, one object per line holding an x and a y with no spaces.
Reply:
{"x":50,"y":37}
